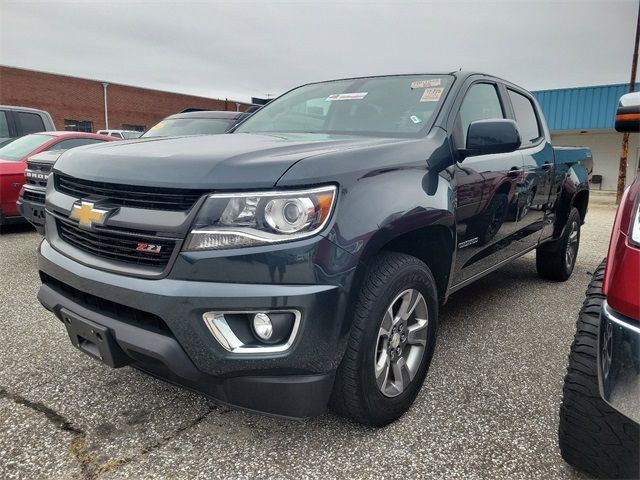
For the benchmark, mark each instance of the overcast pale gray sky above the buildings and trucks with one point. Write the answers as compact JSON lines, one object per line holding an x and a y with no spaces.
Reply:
{"x":239,"y":49}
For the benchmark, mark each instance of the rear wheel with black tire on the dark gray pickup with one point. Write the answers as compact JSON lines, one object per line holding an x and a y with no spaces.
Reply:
{"x":552,"y":258}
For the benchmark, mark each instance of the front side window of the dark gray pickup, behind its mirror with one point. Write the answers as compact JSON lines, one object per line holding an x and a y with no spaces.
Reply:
{"x":480,"y":103}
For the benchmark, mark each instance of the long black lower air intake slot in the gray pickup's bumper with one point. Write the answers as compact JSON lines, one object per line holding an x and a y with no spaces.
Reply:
{"x":123,"y":313}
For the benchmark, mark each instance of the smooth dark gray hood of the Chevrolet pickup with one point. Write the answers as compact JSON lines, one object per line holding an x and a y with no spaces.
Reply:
{"x":239,"y":160}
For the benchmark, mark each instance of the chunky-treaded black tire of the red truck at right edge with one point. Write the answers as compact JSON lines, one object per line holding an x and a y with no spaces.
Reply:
{"x":594,"y":437}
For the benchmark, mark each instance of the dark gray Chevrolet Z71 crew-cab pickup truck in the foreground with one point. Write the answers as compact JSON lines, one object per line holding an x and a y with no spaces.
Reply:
{"x":300,"y":261}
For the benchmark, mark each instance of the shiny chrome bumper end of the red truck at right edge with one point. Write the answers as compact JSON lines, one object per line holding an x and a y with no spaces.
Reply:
{"x":619,"y":362}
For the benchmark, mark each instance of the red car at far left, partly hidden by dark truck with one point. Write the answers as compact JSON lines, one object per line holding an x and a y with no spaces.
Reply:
{"x":13,"y":161}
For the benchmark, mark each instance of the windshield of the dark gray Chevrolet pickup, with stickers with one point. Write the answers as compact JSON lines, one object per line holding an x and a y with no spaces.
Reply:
{"x":394,"y":106}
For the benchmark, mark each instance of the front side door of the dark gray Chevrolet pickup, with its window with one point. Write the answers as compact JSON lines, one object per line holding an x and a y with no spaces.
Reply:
{"x":485,"y":187}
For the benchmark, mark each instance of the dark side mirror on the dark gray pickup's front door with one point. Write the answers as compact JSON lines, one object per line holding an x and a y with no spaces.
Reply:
{"x":491,"y":136}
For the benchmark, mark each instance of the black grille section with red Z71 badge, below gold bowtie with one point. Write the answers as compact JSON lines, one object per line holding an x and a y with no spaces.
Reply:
{"x":114,"y":244}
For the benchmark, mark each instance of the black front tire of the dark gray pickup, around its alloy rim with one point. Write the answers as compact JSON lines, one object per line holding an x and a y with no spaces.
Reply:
{"x":356,"y":394}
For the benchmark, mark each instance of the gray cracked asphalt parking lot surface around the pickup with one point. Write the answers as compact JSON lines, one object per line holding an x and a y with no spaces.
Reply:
{"x":488,"y":409}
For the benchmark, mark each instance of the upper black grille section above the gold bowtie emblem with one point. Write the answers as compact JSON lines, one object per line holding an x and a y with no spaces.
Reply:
{"x":174,"y":199}
